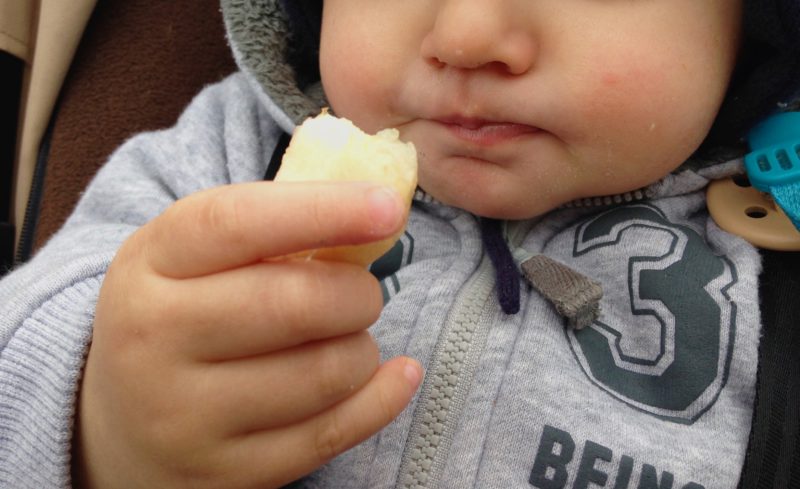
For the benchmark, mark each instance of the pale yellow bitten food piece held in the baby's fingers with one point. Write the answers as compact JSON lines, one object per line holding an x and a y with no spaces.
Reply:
{"x":331,"y":148}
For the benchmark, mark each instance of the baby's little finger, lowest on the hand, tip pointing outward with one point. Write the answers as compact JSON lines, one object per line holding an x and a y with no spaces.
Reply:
{"x":307,"y":445}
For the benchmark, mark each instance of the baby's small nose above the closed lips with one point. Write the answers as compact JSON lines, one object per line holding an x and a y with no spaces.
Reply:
{"x":472,"y":34}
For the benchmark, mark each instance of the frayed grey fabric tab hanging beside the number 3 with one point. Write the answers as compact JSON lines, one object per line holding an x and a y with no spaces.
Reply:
{"x":575,"y":296}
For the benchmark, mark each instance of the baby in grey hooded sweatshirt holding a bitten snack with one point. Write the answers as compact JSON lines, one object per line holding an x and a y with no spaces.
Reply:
{"x":564,"y":149}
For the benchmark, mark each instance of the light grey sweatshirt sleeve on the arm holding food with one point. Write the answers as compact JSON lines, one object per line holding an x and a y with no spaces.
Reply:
{"x":49,"y":304}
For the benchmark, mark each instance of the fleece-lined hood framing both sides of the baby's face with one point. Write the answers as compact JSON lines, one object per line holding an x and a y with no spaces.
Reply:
{"x":276,"y":43}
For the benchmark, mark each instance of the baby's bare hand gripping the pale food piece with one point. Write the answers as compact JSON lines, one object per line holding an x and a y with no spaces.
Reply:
{"x":217,"y":363}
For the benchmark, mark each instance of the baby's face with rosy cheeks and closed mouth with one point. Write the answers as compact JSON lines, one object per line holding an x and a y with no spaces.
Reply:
{"x":518,"y":106}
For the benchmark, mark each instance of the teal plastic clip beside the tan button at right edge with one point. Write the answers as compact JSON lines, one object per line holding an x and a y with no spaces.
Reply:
{"x":773,"y":166}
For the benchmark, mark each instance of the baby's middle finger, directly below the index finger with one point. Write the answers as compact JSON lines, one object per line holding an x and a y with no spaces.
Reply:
{"x":269,"y":306}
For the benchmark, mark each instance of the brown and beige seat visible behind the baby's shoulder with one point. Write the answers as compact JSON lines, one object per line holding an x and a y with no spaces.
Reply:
{"x":80,"y":77}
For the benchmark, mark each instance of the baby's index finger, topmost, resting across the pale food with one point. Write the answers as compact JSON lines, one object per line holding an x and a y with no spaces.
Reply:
{"x":235,"y":225}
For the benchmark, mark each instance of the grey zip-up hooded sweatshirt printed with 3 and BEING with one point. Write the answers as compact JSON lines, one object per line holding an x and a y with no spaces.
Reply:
{"x":657,"y":392}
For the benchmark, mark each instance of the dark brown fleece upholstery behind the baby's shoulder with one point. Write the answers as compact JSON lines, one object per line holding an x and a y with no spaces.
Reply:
{"x":139,"y":63}
